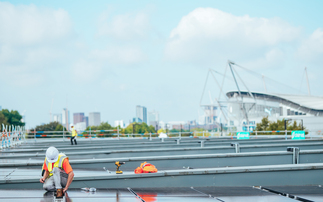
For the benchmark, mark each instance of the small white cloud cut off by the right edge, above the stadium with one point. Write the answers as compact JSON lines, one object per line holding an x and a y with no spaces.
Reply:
{"x":312,"y":48}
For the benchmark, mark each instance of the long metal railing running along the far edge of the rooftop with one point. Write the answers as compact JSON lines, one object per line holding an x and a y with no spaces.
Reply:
{"x":12,"y":136}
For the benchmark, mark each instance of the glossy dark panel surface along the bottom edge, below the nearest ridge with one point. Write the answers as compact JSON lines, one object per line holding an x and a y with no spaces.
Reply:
{"x":187,"y":194}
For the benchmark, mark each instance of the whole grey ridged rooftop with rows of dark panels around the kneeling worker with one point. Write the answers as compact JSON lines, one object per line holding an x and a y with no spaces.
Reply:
{"x":220,"y":190}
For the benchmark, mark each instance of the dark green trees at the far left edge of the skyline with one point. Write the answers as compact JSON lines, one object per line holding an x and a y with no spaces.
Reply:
{"x":10,"y":118}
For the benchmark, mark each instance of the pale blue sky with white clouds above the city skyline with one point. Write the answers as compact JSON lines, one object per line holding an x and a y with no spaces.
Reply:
{"x":109,"y":56}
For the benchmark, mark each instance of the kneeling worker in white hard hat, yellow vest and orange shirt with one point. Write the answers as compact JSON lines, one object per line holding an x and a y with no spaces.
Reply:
{"x":57,"y":172}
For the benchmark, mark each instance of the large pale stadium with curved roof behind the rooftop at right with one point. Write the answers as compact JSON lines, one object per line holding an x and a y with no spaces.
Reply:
{"x":302,"y":108}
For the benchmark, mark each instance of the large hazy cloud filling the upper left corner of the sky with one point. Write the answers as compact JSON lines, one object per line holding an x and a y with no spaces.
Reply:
{"x":32,"y":41}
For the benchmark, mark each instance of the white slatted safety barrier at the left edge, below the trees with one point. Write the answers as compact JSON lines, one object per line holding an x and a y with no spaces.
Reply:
{"x":11,"y":136}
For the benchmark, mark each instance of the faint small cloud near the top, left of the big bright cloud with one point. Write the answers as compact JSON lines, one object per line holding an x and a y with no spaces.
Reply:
{"x":124,"y":27}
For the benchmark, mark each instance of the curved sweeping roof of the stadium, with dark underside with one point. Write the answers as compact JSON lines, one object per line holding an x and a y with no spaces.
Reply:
{"x":311,"y":104}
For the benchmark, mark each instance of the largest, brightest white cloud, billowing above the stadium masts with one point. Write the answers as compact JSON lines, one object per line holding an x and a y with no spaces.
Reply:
{"x":207,"y":34}
